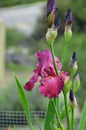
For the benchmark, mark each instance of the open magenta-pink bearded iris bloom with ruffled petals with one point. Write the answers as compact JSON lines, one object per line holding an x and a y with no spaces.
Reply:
{"x":50,"y":84}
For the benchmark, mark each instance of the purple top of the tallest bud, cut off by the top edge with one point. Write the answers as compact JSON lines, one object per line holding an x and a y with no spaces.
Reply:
{"x":51,"y":7}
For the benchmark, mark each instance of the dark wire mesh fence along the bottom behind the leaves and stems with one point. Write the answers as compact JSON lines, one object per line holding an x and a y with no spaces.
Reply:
{"x":18,"y":119}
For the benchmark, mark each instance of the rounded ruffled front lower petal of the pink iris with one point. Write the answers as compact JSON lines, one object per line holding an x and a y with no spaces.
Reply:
{"x":51,"y":87}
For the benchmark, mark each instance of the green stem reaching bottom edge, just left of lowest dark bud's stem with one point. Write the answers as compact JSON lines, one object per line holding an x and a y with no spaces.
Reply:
{"x":67,"y":113}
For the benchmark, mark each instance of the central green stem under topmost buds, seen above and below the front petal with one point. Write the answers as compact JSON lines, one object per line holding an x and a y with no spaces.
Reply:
{"x":56,"y":68}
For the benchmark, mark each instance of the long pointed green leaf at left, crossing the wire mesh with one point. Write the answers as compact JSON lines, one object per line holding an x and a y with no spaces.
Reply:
{"x":24,"y":102}
